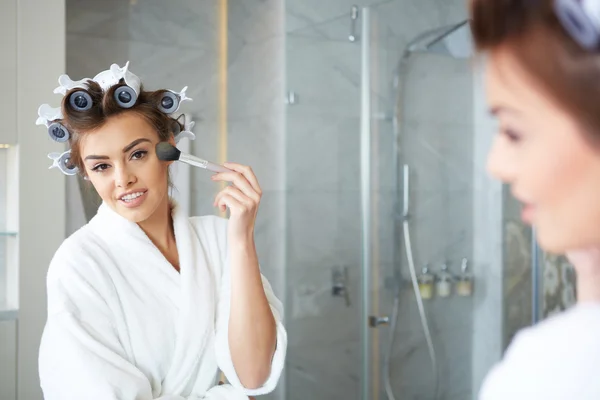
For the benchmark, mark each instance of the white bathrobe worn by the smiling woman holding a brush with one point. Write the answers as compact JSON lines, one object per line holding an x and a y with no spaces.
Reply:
{"x":124,"y":324}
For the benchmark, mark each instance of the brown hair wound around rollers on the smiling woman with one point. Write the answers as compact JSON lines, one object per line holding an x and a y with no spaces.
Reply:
{"x":104,"y":106}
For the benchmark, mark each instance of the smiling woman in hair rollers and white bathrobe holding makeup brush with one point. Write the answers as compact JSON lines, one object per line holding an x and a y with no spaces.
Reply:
{"x":145,"y":302}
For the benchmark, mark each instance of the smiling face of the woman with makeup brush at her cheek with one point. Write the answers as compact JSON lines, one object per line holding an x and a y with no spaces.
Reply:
{"x":121,"y":162}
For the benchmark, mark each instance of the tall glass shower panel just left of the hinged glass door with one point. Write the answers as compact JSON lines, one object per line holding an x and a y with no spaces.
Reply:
{"x":323,"y":210}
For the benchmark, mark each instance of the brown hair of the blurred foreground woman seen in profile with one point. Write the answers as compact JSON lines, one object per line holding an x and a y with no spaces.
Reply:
{"x":530,"y":29}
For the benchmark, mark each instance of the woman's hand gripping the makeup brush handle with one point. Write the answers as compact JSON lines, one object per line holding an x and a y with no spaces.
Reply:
{"x":242,"y":198}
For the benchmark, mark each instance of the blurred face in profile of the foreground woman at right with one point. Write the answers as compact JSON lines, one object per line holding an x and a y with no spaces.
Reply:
{"x":542,"y":153}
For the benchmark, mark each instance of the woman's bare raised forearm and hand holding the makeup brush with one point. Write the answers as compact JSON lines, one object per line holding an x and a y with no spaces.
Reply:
{"x":252,"y":328}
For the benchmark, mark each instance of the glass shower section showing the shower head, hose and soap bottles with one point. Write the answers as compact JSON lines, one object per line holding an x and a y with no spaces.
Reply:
{"x":425,"y":209}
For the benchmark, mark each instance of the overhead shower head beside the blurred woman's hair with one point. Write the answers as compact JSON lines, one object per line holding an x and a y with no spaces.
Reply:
{"x":451,"y":40}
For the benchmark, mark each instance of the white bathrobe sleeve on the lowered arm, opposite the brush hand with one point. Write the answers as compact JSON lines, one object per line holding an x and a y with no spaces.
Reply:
{"x":81,"y":356}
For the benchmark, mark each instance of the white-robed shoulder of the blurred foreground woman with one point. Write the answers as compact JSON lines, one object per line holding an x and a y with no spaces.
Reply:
{"x":555,"y":358}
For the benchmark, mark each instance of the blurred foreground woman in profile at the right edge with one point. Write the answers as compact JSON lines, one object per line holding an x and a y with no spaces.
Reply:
{"x":543,"y":85}
